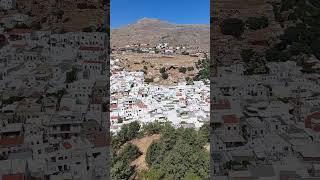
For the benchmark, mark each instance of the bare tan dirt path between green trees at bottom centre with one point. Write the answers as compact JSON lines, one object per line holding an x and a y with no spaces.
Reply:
{"x":143,"y":144}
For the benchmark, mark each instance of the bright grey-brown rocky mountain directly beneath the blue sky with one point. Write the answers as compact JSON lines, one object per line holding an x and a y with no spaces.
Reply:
{"x":153,"y":31}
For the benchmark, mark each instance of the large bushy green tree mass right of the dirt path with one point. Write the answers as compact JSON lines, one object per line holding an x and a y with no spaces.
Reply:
{"x":179,"y":154}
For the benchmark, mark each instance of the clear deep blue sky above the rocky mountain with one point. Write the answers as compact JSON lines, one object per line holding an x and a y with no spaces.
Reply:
{"x":125,"y":12}
